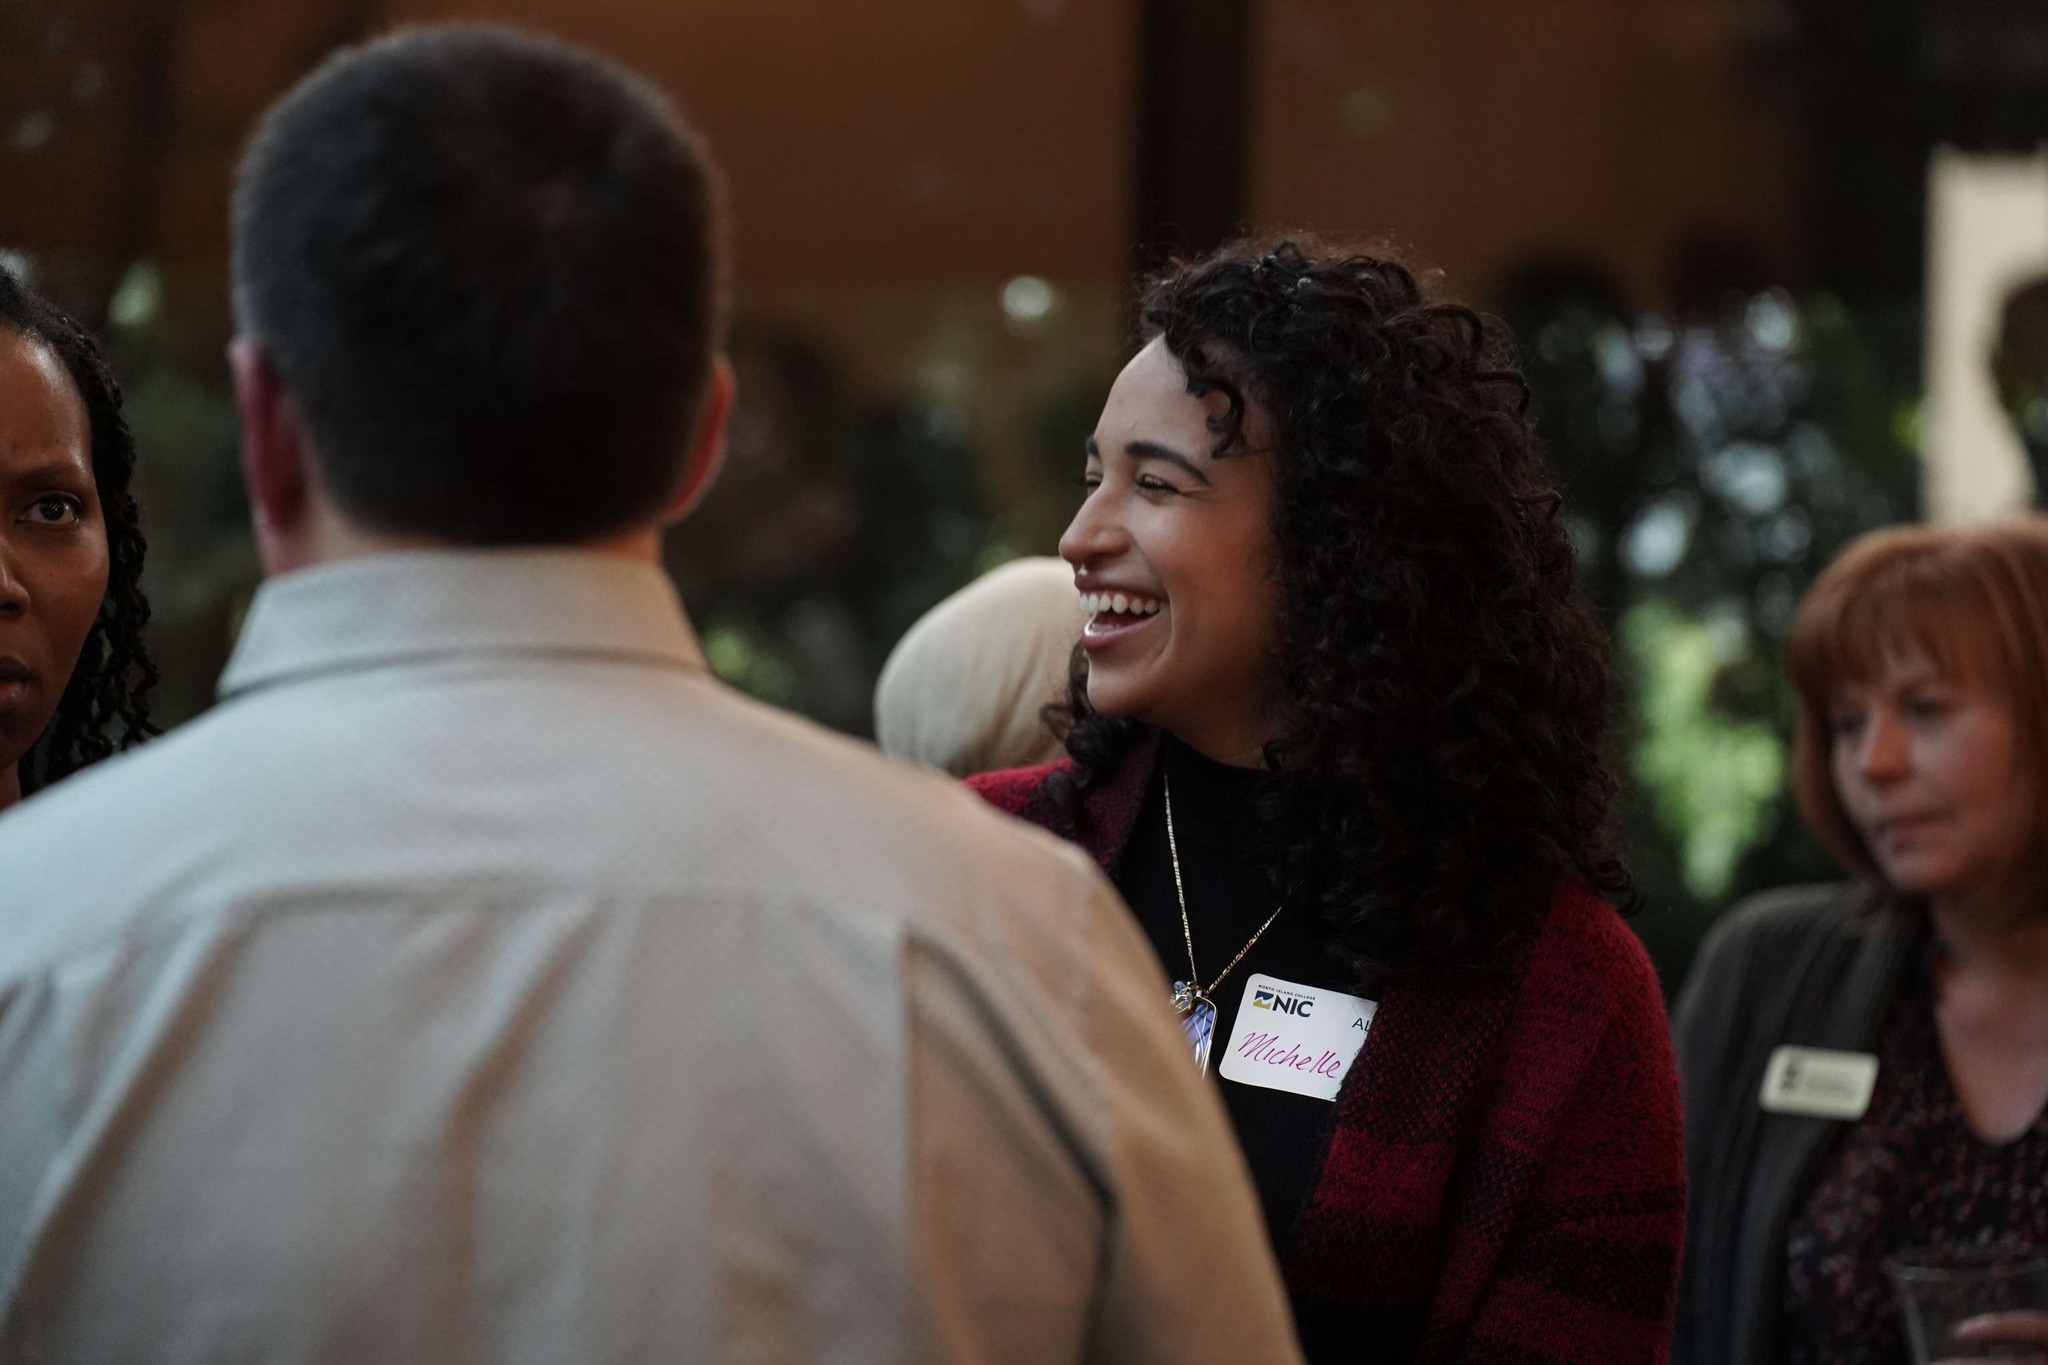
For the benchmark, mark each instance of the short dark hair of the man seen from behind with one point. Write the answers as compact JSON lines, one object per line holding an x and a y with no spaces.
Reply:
{"x":488,"y":269}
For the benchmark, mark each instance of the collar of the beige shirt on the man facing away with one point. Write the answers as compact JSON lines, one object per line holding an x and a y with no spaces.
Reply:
{"x":419,"y":605}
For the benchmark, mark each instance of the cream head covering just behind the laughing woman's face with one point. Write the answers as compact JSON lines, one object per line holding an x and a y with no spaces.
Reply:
{"x":966,"y":689}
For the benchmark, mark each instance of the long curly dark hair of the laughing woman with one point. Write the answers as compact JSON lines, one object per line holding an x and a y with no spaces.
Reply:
{"x":1445,"y":691}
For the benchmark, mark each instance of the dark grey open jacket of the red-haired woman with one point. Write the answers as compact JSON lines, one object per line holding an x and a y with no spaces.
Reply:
{"x":1811,"y":967}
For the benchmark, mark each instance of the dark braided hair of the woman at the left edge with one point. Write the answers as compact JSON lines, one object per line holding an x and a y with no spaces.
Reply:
{"x":105,"y":705}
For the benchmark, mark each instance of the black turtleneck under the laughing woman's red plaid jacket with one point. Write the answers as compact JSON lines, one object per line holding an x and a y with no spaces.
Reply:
{"x":1230,"y":897}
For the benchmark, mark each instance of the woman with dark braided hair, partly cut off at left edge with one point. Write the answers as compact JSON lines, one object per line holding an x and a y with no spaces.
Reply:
{"x":75,"y":674}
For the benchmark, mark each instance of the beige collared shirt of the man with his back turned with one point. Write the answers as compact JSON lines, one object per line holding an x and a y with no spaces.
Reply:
{"x":482,"y":981}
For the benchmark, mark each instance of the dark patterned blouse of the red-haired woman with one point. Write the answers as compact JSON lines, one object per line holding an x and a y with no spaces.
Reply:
{"x":1908,"y":1176}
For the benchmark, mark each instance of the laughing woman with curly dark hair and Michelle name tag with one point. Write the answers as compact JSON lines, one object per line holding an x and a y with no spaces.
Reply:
{"x":1338,"y":730}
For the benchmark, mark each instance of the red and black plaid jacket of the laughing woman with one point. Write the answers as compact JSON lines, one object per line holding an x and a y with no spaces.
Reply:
{"x":1506,"y":1178}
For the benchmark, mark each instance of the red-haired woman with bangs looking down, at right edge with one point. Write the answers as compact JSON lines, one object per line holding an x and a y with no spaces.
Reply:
{"x":1867,"y":1063}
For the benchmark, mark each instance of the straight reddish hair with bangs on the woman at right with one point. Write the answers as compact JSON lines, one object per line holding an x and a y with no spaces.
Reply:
{"x":1973,"y":603}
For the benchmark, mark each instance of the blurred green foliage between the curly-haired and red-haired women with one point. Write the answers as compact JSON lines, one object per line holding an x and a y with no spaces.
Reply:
{"x":1713,"y":466}
